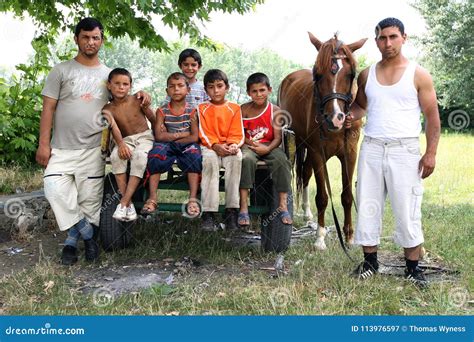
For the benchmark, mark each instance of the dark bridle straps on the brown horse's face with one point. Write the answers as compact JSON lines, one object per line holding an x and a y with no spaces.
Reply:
{"x":347,"y":98}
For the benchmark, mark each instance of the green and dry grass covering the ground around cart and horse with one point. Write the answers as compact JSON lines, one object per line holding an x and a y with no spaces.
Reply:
{"x":230,"y":280}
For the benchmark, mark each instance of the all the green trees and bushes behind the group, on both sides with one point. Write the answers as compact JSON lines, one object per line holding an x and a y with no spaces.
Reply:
{"x":134,"y":44}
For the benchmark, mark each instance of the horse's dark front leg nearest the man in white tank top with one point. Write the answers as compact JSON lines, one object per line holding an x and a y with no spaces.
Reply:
{"x":347,"y":169}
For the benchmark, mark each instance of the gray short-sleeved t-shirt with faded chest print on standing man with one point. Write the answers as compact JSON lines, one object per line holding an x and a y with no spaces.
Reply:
{"x":81,"y":92}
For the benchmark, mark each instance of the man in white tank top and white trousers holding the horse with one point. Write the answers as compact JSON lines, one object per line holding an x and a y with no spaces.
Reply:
{"x":393,"y":92}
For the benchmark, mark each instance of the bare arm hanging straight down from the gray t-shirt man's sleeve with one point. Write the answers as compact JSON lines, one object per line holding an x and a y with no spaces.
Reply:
{"x":43,"y":153}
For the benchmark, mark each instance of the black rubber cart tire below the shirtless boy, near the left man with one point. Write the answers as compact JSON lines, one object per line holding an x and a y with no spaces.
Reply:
{"x":114,"y":235}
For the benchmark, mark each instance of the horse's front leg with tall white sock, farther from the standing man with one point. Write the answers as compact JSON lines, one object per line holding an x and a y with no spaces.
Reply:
{"x":321,"y":201}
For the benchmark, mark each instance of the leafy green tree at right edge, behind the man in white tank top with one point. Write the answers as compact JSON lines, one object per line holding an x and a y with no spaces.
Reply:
{"x":449,"y":53}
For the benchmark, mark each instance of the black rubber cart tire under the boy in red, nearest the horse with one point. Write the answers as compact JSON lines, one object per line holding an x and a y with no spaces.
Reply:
{"x":276,"y":236}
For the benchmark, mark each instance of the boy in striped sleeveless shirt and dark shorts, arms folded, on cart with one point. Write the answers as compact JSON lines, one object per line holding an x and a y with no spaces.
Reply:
{"x":176,"y":137}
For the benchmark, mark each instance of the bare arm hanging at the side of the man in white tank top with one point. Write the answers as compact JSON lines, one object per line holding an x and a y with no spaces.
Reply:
{"x":429,"y":107}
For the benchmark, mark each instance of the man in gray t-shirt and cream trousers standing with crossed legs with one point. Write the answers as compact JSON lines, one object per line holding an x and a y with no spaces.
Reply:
{"x":73,"y":97}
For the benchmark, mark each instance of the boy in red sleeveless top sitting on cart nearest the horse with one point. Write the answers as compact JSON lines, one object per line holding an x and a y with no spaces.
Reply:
{"x":262,"y":141}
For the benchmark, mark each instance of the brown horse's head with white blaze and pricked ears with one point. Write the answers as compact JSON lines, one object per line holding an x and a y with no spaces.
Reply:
{"x":333,"y":74}
